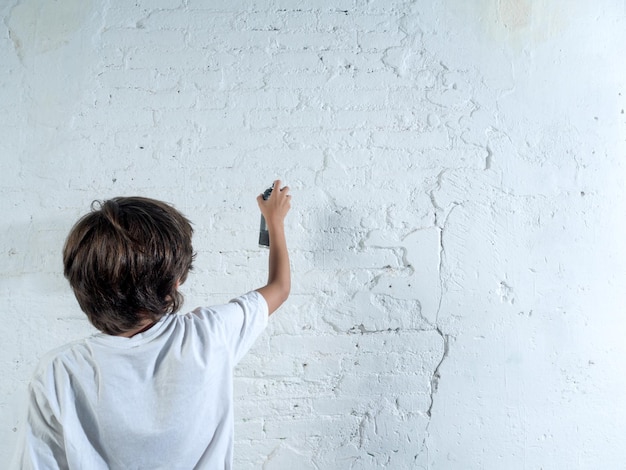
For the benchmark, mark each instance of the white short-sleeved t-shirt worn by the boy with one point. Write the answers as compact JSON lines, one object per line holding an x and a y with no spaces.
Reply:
{"x":162,"y":399}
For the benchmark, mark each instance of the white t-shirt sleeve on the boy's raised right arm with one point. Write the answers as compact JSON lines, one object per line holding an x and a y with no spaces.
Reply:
{"x":243,"y":320}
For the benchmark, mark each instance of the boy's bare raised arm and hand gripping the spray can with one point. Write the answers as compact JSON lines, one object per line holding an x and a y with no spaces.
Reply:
{"x":274,"y":209}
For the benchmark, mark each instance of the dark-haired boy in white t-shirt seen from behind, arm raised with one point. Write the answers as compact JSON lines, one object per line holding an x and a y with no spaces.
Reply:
{"x":153,"y":390}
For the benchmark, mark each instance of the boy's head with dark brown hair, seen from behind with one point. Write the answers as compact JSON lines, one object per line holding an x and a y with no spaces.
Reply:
{"x":125,"y":259}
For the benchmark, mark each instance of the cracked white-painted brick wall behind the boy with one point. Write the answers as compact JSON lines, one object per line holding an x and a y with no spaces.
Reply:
{"x":457,"y":234}
